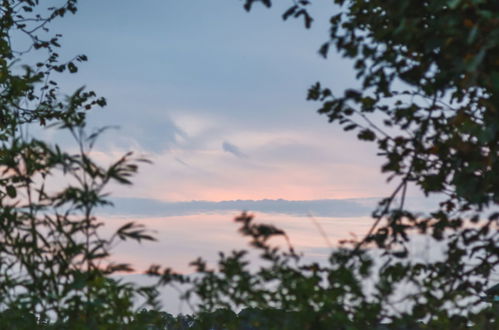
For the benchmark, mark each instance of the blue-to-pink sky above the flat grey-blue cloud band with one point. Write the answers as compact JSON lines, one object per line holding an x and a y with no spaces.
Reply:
{"x":215,"y":97}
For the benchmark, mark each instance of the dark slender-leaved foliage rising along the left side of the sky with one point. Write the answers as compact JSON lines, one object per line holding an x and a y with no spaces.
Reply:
{"x":54,"y":264}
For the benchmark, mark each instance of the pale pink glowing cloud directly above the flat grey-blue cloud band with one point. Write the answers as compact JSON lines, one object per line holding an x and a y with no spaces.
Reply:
{"x":292,"y":165}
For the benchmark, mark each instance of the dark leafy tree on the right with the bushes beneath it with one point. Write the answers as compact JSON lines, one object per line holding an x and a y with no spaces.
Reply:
{"x":429,"y":100}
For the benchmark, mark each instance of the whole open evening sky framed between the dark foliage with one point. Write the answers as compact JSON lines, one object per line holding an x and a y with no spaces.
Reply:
{"x":215,"y":97}
